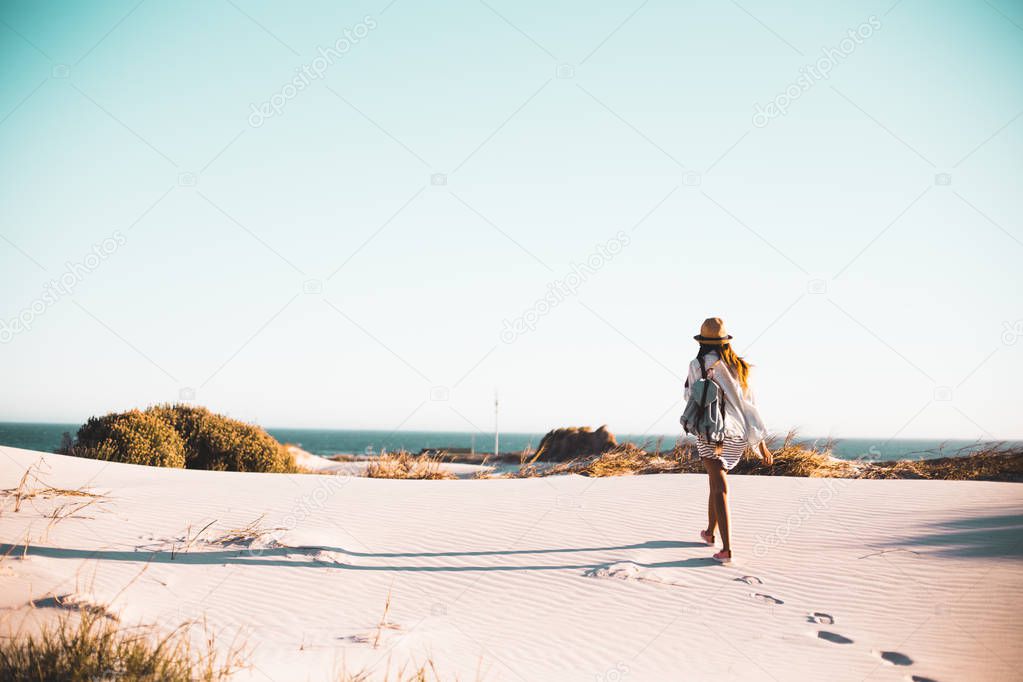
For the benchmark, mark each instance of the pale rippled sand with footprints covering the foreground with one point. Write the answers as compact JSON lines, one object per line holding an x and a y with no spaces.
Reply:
{"x":544,"y":579}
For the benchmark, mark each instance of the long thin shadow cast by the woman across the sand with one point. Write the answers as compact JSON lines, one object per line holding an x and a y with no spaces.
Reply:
{"x":285,"y":557}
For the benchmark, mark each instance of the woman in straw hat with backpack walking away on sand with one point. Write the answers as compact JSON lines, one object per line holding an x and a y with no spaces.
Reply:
{"x":721,"y":413}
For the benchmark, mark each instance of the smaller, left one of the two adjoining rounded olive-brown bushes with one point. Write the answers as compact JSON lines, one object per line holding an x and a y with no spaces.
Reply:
{"x":135,"y":438}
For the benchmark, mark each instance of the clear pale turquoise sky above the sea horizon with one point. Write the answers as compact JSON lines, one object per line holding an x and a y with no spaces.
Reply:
{"x":360,"y":237}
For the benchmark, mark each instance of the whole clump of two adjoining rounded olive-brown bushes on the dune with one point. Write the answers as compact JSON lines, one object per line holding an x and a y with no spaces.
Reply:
{"x":183,"y":436}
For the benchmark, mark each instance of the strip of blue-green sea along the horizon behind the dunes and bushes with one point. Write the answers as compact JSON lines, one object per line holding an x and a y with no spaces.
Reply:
{"x":47,"y":437}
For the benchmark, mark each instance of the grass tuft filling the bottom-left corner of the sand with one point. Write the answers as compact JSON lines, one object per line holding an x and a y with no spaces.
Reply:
{"x":87,"y":647}
